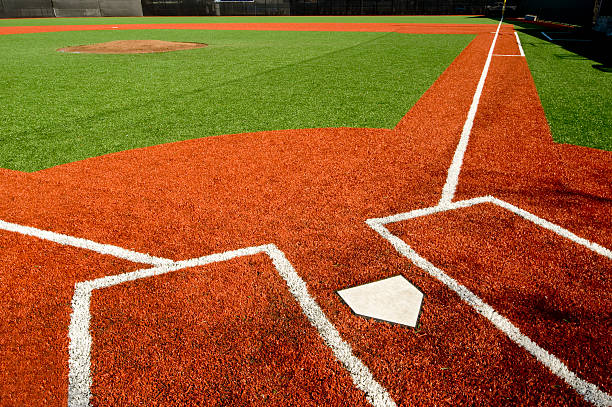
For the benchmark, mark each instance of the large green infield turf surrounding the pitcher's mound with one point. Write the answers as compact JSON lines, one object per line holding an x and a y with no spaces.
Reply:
{"x":60,"y":107}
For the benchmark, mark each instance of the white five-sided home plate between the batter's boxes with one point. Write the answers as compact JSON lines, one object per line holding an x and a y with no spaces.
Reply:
{"x":393,"y":299}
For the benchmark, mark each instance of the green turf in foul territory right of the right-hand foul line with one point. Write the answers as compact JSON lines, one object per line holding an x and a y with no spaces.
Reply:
{"x":576,"y":91}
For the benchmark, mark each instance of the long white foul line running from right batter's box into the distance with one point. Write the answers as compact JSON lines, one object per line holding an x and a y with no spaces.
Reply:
{"x":452,"y":177}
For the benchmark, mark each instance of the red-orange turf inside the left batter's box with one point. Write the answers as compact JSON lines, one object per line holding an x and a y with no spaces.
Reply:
{"x":233,"y":323}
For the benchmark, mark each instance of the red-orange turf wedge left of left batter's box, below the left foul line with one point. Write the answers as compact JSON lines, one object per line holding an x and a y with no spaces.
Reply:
{"x":36,"y":286}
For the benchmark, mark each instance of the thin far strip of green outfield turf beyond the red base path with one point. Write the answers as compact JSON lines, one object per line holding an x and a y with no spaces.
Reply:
{"x":258,"y":19}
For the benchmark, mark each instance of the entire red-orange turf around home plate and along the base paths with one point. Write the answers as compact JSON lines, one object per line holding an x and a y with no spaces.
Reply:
{"x":232,"y":333}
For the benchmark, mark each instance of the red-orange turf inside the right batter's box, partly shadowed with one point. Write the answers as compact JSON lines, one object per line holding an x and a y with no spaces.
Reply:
{"x":556,"y":291}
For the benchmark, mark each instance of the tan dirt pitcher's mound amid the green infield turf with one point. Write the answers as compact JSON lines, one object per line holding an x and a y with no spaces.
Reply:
{"x":132,"y":47}
